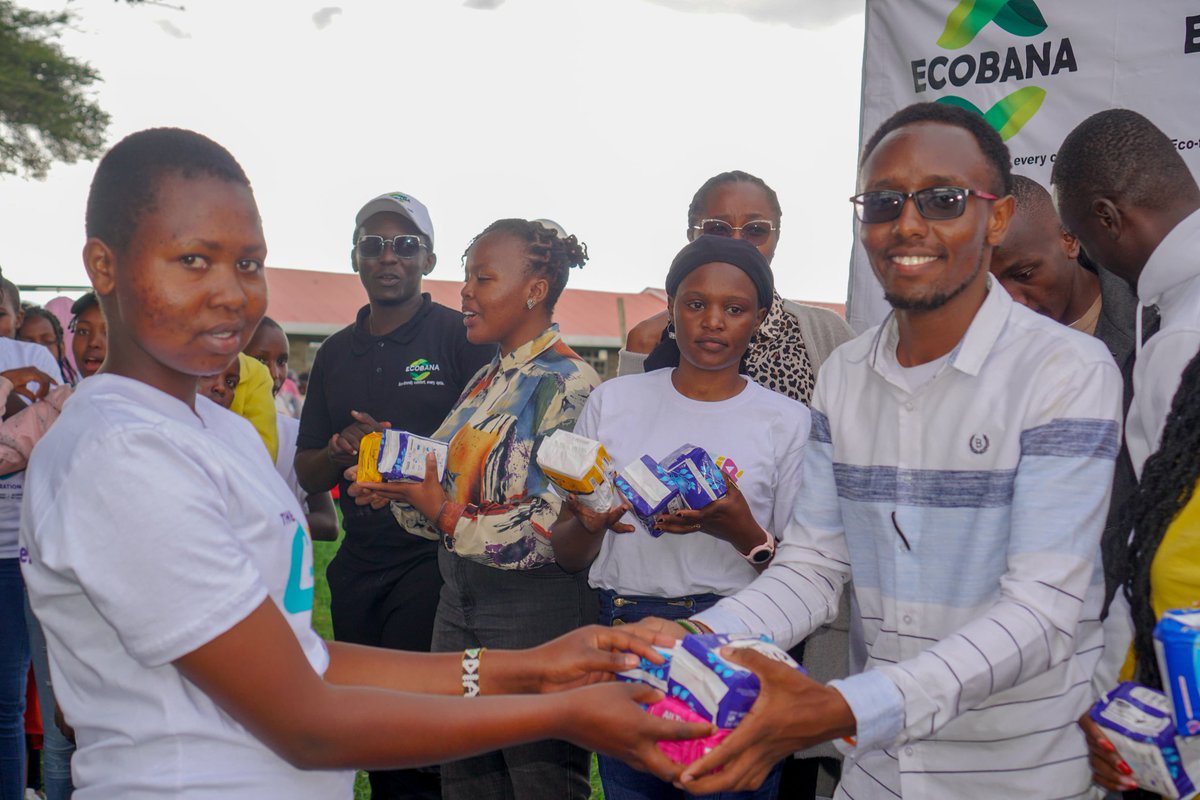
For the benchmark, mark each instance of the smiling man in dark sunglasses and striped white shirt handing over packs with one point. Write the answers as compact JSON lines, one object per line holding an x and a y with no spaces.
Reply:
{"x":959,"y":472}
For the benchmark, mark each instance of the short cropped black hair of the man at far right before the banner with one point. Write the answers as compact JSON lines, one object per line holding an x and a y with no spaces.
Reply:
{"x":1121,"y":155}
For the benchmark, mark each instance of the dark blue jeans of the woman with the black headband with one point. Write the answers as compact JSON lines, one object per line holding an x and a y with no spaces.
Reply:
{"x":623,"y":783}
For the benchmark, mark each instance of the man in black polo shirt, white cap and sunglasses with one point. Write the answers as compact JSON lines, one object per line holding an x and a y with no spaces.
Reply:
{"x":405,"y":362}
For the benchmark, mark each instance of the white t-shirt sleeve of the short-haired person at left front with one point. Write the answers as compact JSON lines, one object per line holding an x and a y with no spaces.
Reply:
{"x":143,"y":528}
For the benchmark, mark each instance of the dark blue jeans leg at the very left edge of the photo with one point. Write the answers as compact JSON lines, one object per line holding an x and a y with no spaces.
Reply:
{"x":14,"y":678}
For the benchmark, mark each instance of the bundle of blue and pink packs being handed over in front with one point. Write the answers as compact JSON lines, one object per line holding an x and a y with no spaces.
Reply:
{"x":704,"y":687}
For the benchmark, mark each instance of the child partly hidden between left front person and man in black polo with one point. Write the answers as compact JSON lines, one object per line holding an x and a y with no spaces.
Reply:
{"x":269,"y":345}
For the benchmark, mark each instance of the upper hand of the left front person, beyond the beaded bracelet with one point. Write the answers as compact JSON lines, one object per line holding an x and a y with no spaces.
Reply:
{"x":592,"y":654}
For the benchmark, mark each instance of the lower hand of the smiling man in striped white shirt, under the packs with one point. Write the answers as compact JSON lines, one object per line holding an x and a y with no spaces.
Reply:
{"x":793,"y":713}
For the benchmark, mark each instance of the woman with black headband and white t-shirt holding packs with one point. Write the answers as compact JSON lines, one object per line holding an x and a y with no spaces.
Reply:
{"x":719,"y":291}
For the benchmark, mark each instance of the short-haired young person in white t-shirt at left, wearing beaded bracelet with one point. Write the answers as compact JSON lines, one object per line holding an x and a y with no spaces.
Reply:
{"x":172,"y":572}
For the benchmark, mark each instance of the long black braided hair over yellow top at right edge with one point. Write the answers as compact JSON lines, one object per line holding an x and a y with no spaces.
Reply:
{"x":1168,"y":482}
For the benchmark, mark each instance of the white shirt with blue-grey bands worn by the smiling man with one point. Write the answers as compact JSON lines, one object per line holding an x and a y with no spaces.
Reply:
{"x":971,"y":528}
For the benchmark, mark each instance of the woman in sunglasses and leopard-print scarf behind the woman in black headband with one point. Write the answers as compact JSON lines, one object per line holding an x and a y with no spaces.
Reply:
{"x":795,"y":340}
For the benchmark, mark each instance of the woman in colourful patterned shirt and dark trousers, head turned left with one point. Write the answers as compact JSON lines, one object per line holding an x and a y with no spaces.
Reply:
{"x":495,"y":507}
